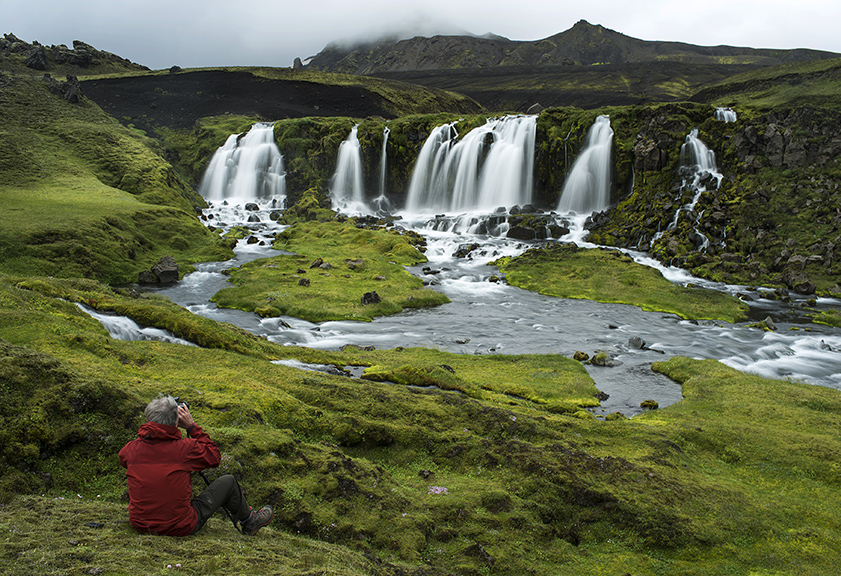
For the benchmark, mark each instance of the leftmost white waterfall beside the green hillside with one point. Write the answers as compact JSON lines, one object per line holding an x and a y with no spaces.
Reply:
{"x":246,"y":168}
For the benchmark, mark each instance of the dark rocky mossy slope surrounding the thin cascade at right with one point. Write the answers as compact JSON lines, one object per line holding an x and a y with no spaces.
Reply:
{"x":757,"y":220}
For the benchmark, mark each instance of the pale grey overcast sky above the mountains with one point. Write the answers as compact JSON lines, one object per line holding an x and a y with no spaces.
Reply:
{"x":193,"y":33}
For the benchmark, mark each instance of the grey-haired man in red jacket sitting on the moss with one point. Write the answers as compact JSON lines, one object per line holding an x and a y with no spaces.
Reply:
{"x":158,"y":465}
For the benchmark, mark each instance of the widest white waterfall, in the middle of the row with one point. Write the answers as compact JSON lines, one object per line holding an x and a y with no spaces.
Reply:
{"x":491,"y":166}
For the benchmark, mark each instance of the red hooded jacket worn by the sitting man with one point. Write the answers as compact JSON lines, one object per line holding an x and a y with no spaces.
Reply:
{"x":158,"y":466}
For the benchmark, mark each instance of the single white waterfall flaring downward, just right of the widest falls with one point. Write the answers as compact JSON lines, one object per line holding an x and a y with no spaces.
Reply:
{"x":587,"y":188}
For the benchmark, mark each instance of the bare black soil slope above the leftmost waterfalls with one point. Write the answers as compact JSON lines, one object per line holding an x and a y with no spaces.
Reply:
{"x":178,"y":100}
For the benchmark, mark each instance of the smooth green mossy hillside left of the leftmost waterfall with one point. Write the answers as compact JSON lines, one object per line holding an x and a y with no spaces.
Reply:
{"x":84,"y":196}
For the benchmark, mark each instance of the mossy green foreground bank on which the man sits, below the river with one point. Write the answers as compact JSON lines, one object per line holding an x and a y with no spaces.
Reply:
{"x":736,"y":477}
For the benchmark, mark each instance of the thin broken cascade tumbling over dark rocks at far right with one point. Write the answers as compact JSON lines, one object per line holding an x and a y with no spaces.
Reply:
{"x":698,"y":170}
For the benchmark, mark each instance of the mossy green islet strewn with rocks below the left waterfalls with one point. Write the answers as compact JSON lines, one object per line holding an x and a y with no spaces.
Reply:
{"x":354,"y":261}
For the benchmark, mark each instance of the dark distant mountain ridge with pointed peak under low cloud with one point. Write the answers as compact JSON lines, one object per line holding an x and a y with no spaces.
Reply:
{"x":584,"y":44}
